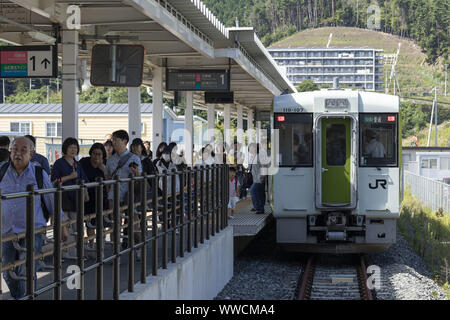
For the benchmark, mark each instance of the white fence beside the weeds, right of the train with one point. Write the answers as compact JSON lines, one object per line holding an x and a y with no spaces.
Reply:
{"x":431,"y":193}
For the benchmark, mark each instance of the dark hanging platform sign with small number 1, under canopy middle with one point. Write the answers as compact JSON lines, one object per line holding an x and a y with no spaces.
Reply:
{"x":197,"y":80}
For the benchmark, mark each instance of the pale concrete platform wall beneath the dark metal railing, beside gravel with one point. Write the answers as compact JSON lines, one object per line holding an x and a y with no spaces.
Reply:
{"x":200,"y":275}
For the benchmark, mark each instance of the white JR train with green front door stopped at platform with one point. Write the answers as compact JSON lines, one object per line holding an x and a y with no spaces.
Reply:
{"x":337,"y":187}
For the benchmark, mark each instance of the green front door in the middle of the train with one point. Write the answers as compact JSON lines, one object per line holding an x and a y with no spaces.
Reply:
{"x":336,"y":148}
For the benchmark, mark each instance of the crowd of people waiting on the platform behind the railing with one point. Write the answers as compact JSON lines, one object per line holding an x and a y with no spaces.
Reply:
{"x":21,"y":165}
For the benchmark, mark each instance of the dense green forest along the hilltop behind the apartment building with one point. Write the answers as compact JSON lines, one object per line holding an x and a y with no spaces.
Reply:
{"x":426,"y":21}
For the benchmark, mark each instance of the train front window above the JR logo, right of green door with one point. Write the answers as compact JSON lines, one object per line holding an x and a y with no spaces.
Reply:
{"x":378,"y":140}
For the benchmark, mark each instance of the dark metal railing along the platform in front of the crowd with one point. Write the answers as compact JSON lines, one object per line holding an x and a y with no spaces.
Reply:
{"x":185,"y":218}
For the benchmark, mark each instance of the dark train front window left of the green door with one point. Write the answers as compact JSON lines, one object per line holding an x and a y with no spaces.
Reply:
{"x":295,"y":135}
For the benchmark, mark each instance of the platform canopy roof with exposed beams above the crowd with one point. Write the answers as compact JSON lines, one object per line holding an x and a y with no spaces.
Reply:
{"x":181,"y":34}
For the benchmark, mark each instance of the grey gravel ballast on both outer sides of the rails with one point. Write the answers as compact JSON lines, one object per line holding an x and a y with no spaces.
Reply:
{"x":265,"y":272}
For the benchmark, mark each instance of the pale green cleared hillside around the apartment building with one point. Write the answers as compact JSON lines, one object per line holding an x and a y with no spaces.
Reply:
{"x":415,"y":76}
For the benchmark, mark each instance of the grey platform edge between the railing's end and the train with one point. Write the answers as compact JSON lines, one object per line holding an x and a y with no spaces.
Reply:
{"x":246,"y":222}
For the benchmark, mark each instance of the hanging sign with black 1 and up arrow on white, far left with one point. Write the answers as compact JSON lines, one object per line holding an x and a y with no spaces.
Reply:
{"x":28,"y":62}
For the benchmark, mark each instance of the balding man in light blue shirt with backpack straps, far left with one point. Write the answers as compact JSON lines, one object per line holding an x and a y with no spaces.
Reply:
{"x":21,"y":173}
